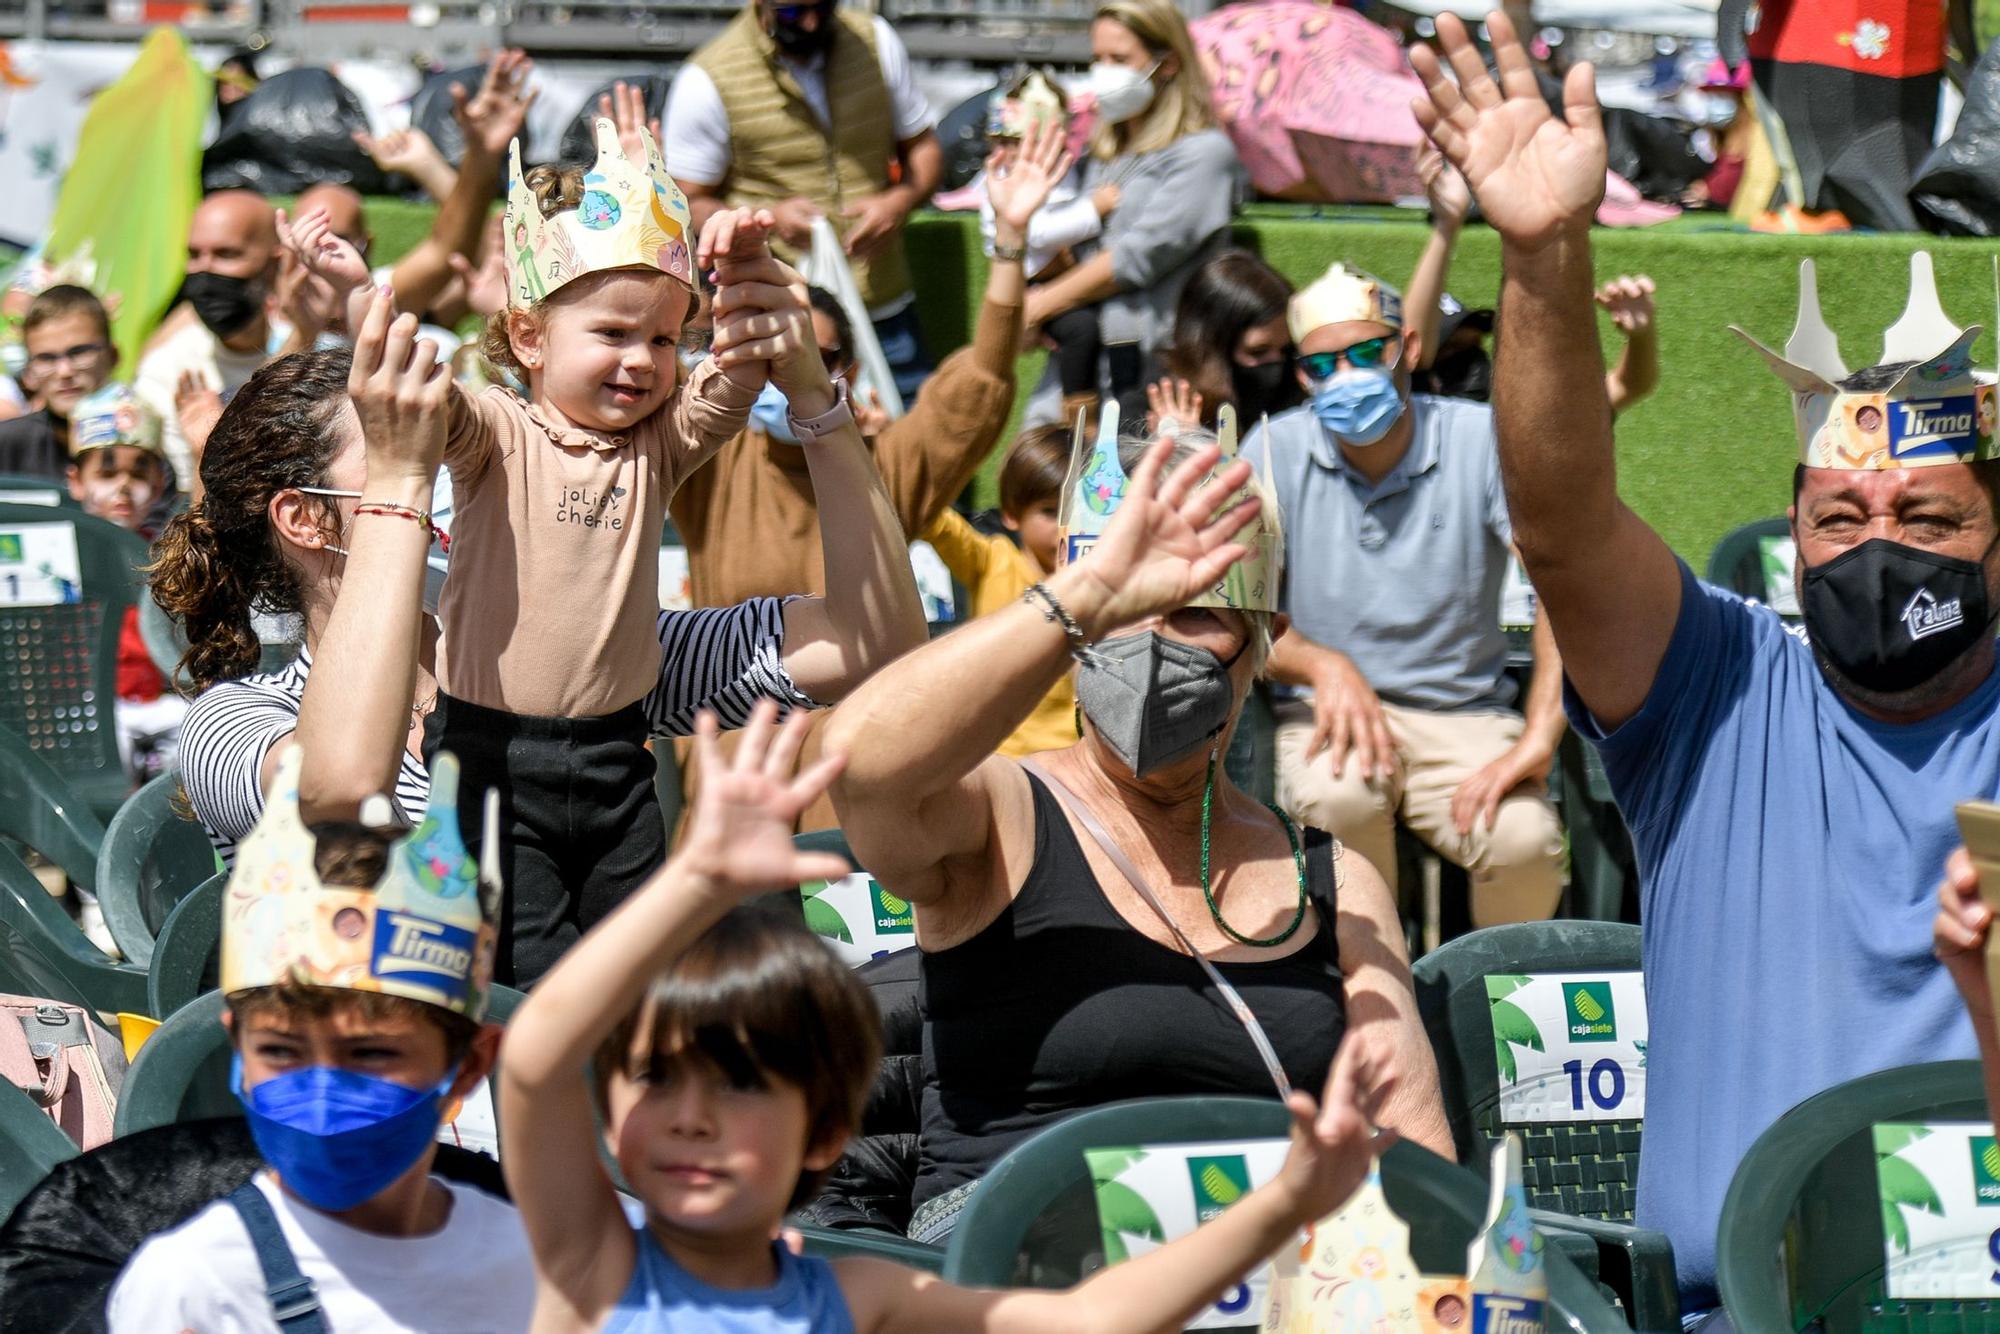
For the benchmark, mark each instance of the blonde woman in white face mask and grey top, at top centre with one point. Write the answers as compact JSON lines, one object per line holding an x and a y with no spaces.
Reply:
{"x":1179,"y":183}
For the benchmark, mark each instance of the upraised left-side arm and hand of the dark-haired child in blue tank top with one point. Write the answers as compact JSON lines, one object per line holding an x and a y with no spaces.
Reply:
{"x":739,"y":845}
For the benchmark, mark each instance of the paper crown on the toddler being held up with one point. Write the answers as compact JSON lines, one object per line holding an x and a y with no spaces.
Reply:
{"x":631,"y":217}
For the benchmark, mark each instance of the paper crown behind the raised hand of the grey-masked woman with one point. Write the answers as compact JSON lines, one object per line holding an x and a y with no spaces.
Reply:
{"x":1097,"y":485}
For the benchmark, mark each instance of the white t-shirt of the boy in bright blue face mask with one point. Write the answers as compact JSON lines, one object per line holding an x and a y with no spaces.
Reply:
{"x":471,"y":1277}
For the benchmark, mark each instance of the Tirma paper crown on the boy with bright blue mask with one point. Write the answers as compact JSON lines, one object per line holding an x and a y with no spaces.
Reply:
{"x":427,"y":931}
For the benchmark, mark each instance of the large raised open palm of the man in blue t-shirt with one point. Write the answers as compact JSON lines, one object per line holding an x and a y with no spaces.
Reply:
{"x":1533,"y":175}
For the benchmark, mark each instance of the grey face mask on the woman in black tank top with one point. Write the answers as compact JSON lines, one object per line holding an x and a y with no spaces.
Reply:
{"x":1155,"y":701}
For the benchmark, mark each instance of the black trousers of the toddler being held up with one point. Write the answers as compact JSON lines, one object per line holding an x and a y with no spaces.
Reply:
{"x":579,"y":821}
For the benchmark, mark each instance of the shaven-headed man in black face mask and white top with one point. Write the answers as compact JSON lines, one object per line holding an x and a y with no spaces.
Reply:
{"x":233,"y":271}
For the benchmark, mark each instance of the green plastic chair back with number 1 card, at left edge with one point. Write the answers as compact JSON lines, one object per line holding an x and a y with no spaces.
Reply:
{"x":63,"y":661}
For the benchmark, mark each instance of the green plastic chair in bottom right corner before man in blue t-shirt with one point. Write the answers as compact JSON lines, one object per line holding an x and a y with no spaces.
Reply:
{"x":1801,"y":1239}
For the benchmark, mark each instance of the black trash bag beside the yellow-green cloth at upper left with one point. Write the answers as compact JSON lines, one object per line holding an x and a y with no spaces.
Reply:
{"x":295,"y":131}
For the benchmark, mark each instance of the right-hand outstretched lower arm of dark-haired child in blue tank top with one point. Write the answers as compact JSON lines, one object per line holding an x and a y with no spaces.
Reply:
{"x":1333,"y":1145}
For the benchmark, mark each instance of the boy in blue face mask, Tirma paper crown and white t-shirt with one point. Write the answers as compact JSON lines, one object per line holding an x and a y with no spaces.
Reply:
{"x":357,"y":975}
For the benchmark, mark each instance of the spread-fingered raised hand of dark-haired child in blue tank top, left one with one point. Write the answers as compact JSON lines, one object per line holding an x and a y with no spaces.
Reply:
{"x":739,"y":841}
